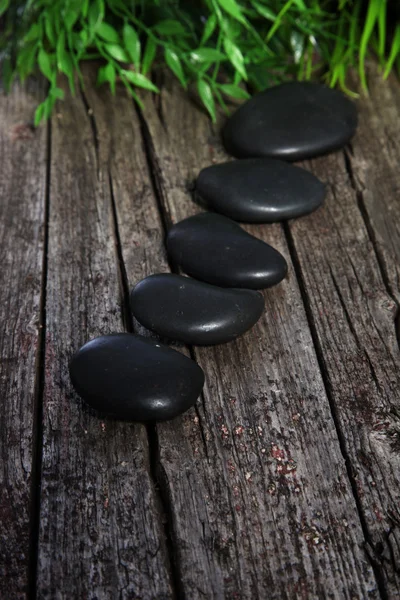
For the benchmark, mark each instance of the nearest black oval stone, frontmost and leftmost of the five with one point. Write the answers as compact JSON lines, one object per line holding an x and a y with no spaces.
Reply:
{"x":134,"y":378}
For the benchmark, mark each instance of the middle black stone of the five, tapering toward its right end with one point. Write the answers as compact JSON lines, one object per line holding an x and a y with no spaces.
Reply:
{"x":215,"y":249}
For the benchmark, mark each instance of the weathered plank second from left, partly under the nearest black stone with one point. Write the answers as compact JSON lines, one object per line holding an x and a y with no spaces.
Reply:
{"x":100,"y":532}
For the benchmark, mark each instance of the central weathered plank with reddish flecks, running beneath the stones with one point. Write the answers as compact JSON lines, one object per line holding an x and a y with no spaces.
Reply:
{"x":260,"y":501}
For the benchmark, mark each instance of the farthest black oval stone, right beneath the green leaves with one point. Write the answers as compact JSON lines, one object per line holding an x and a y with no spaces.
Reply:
{"x":291,"y":121}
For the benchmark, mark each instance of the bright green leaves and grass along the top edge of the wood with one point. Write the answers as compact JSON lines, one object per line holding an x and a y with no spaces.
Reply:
{"x":224,"y":47}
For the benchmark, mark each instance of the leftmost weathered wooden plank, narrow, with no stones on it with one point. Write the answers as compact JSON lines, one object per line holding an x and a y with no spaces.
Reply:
{"x":22,"y":217}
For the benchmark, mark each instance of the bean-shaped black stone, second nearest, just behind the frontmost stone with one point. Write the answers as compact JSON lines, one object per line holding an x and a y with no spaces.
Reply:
{"x":194,"y":312}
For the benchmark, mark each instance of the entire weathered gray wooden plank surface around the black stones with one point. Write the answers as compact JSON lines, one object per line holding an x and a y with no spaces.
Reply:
{"x":283,"y":480}
